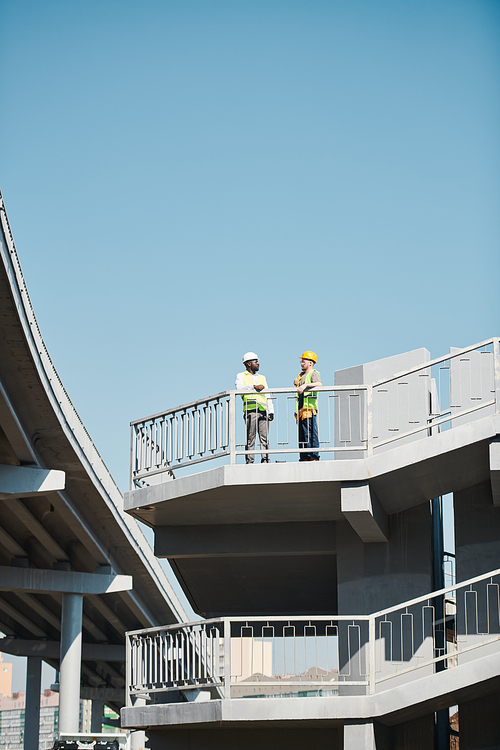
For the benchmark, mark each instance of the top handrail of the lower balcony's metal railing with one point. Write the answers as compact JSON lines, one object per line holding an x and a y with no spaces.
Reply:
{"x":322,"y":618}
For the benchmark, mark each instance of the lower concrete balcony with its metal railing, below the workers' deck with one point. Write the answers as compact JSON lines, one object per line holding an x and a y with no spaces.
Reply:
{"x":392,"y":666}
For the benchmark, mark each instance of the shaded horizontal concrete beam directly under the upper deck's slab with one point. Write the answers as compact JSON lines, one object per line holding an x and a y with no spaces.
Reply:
{"x":249,"y":540}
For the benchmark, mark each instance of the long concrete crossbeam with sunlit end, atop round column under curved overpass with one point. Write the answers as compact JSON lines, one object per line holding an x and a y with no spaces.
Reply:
{"x":61,"y":581}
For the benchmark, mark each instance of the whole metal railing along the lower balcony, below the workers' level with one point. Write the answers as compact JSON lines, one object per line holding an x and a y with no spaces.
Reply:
{"x":299,"y":656}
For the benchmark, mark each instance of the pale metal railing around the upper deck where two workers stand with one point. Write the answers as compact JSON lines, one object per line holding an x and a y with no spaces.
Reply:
{"x":354,"y":420}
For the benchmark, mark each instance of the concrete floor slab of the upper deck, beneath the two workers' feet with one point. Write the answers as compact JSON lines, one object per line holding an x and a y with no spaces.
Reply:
{"x":266,"y":493}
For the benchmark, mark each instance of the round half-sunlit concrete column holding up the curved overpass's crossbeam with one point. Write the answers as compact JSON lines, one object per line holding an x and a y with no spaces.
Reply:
{"x":71,"y":662}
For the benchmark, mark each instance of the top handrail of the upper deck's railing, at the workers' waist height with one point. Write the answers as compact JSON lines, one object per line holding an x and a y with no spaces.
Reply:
{"x":324,"y":388}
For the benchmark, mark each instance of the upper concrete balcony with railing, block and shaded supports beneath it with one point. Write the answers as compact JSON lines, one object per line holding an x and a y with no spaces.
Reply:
{"x":290,"y":537}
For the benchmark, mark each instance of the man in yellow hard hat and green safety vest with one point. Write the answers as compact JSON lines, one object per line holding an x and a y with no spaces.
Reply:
{"x":307,"y":405}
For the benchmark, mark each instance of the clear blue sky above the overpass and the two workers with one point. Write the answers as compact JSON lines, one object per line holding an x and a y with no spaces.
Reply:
{"x":186,"y":181}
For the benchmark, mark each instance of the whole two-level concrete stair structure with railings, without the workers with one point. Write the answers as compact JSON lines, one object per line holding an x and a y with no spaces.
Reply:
{"x":329,"y":621}
